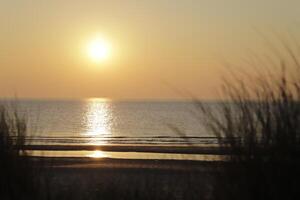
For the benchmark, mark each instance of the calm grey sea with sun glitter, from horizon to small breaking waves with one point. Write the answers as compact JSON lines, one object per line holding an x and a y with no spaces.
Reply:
{"x":102,"y":121}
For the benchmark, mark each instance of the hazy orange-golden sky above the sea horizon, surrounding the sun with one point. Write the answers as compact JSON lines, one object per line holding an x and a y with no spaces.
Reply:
{"x":157,"y":47}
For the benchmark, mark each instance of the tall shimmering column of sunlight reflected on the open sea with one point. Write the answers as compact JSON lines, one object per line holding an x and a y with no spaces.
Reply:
{"x":98,"y":119}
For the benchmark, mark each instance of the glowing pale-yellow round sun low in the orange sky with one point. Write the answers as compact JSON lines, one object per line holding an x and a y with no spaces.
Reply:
{"x":98,"y":49}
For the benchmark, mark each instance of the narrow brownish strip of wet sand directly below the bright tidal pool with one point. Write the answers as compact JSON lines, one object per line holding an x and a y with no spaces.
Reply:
{"x":111,"y":164}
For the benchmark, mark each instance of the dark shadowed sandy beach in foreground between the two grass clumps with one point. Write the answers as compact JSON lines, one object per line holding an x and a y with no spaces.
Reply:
{"x":126,"y":178}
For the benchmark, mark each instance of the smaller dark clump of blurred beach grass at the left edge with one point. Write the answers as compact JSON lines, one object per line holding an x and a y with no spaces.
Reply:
{"x":17,"y":175}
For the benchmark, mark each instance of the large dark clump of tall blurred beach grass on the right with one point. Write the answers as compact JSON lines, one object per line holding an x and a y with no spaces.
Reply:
{"x":259,"y":125}
